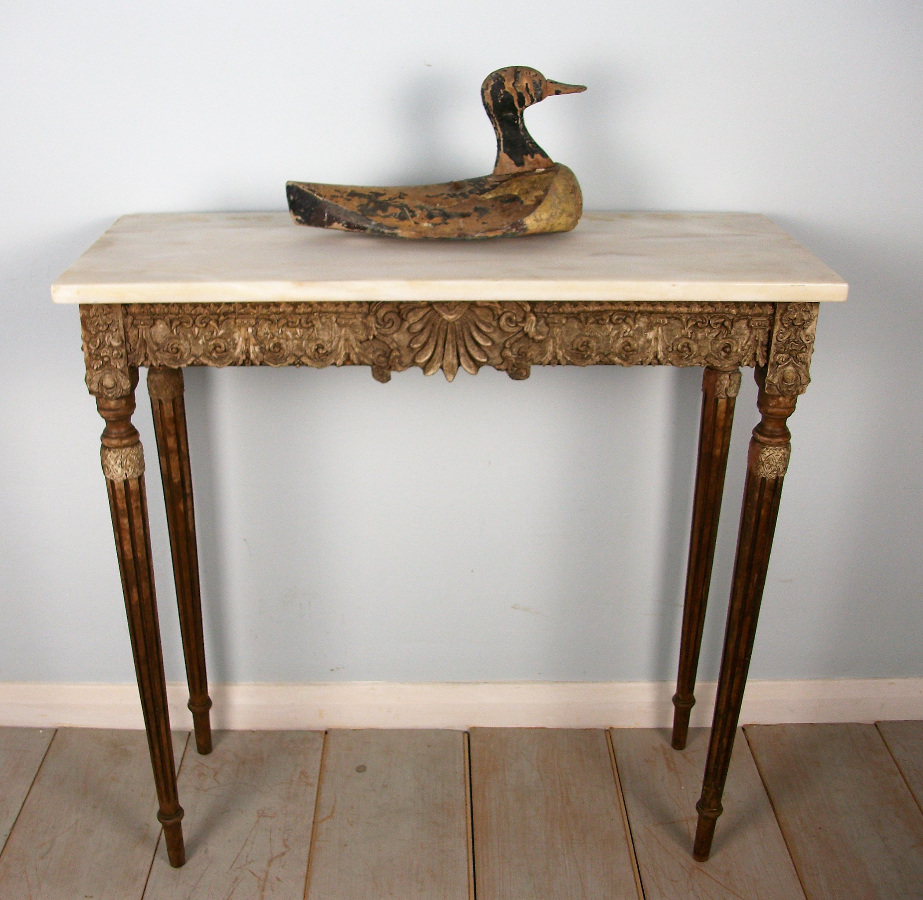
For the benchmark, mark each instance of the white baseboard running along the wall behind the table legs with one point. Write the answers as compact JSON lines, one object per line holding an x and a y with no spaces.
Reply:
{"x":523,"y":704}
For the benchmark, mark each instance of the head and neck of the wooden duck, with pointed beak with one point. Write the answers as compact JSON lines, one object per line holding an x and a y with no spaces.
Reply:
{"x":506,"y":94}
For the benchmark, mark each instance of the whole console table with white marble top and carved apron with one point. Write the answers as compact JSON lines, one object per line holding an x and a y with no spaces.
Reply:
{"x":714,"y":290}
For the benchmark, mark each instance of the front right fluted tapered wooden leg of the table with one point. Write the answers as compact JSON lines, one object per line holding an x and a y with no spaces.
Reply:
{"x":767,"y":462}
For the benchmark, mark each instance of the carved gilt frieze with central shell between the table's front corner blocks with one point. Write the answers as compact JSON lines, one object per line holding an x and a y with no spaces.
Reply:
{"x":394,"y":336}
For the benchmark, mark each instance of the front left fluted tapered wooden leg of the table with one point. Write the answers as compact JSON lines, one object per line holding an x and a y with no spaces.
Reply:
{"x":123,"y":466}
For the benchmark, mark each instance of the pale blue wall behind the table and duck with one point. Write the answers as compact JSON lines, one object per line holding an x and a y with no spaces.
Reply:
{"x":483,"y":530}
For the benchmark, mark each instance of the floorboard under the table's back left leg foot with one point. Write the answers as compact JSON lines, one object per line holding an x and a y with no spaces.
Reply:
{"x":249,"y":809}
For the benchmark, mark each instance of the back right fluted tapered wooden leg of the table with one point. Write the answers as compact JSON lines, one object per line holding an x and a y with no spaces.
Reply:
{"x":719,"y":391}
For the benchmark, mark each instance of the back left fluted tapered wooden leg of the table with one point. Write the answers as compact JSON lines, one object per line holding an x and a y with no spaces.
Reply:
{"x":165,"y":387}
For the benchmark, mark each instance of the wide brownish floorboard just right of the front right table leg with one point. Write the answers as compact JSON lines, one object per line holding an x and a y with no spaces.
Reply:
{"x":851,"y":824}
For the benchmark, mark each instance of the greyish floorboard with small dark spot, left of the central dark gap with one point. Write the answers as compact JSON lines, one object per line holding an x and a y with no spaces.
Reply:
{"x":392,"y":817}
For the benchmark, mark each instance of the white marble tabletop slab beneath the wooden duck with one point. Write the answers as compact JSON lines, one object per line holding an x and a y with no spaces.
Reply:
{"x":241,"y":257}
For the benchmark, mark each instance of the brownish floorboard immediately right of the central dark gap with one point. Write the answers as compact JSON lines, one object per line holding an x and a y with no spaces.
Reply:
{"x":546,"y":814}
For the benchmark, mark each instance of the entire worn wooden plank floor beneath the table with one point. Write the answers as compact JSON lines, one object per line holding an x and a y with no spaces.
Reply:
{"x":811,"y":811}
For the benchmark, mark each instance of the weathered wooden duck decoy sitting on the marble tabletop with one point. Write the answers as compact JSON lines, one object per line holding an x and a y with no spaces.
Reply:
{"x":527,"y":193}
